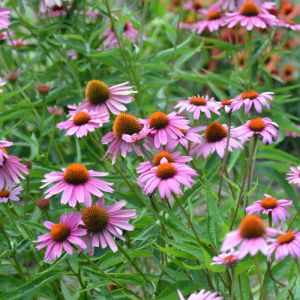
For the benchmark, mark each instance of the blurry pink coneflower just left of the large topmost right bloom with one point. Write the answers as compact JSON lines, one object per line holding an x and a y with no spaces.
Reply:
{"x":214,"y":20}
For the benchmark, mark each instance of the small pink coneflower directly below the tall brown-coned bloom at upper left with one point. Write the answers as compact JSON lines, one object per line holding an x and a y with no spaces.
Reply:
{"x":83,"y":122}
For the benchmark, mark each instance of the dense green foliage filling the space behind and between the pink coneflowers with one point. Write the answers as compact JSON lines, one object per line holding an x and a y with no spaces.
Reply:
{"x":165,"y":65}
